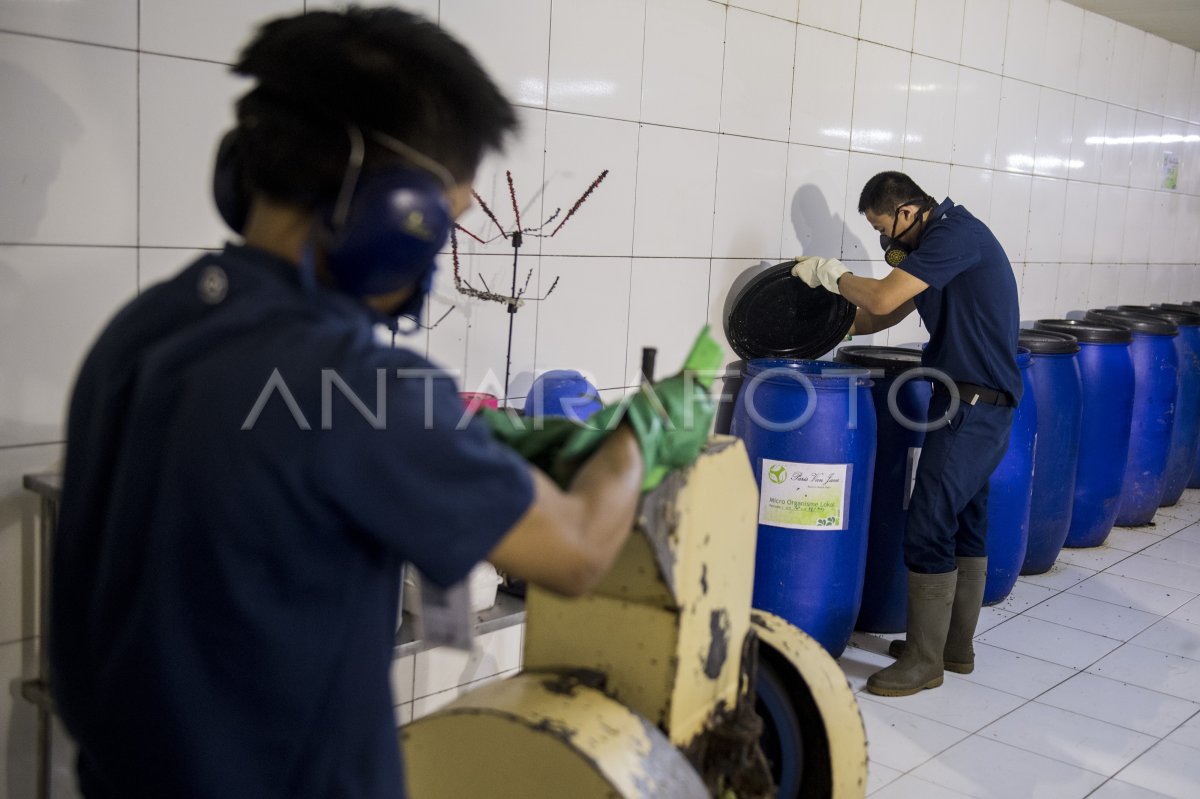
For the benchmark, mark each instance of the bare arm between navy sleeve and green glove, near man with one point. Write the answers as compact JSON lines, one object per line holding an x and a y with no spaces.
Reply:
{"x":567,"y":542}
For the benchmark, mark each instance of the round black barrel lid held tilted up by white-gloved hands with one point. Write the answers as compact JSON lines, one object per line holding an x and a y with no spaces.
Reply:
{"x":769,"y":314}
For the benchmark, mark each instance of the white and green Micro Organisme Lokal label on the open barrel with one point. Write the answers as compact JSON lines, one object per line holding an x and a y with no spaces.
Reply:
{"x":805,"y":496}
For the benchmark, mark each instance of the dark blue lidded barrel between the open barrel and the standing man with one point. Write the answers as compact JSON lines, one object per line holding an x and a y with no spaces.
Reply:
{"x":898,"y":452}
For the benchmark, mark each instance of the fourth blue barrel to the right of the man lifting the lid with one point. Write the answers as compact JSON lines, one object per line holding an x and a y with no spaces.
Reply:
{"x":1156,"y":383}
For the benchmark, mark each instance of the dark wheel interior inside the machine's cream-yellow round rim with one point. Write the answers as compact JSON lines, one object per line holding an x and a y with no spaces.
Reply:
{"x":794,"y":738}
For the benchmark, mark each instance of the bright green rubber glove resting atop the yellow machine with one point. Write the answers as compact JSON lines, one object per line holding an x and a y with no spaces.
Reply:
{"x":671,"y":419}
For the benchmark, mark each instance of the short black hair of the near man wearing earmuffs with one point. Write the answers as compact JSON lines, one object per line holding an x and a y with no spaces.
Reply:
{"x":380,"y":69}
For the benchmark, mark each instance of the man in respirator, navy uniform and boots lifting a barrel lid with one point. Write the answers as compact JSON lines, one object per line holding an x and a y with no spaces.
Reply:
{"x":950,"y":268}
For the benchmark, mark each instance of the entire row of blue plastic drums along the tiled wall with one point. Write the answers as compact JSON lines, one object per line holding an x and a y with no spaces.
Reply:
{"x":1107,"y":432}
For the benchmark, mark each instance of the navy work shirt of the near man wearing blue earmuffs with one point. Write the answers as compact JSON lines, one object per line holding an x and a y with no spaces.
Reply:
{"x":226,"y":569}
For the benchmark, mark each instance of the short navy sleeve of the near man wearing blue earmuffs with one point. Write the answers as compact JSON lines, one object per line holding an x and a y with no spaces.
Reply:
{"x":424,"y":480}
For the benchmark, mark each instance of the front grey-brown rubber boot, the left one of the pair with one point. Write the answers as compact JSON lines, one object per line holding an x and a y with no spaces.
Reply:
{"x":931,"y":600}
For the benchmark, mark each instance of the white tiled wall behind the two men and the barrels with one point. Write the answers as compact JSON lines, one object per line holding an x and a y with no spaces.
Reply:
{"x":734,"y":133}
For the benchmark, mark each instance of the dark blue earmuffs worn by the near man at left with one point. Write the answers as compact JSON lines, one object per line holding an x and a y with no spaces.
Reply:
{"x":383,"y":231}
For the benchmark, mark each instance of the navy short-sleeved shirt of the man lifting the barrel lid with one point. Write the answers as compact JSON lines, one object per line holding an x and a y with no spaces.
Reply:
{"x":971,"y":305}
